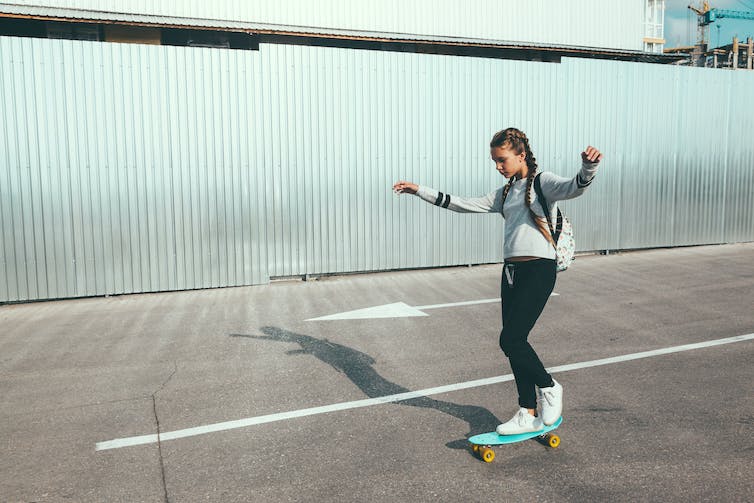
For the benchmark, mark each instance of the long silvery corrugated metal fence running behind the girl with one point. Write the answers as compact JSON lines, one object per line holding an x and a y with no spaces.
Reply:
{"x":128,"y":168}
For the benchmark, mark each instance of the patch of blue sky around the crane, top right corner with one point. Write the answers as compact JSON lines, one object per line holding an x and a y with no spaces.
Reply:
{"x":680,"y":23}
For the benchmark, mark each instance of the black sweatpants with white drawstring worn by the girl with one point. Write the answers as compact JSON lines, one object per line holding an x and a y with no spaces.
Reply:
{"x":526,"y":288}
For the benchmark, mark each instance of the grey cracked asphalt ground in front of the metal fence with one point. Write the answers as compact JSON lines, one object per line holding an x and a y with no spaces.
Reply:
{"x":676,"y":427}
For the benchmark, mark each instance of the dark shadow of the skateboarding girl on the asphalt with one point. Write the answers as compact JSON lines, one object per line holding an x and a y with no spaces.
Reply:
{"x":358,"y":367}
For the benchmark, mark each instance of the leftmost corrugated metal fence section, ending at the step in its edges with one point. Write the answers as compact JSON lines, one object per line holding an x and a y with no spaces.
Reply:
{"x":127,"y":168}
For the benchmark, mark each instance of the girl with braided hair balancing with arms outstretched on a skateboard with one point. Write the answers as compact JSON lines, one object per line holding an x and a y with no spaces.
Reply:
{"x":529,"y":268}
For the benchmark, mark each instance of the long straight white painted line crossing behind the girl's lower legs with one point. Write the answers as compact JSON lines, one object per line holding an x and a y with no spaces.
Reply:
{"x":241,"y":423}
